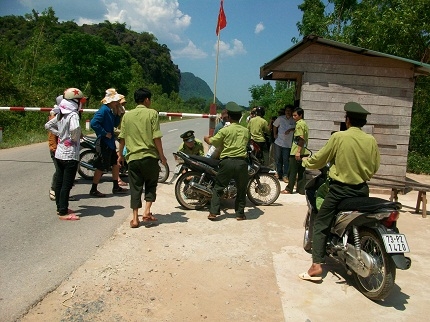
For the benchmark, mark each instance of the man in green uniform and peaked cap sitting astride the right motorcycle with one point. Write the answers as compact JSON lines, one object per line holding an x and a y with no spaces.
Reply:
{"x":355,"y":158}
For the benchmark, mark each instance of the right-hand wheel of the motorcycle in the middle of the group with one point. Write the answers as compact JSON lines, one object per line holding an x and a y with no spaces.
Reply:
{"x":265,"y":190}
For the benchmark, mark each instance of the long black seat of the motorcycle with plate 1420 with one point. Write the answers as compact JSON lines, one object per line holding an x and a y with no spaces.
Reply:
{"x":367,"y":204}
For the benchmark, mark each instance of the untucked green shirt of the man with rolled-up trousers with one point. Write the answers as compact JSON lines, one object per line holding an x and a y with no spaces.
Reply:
{"x":139,"y":128}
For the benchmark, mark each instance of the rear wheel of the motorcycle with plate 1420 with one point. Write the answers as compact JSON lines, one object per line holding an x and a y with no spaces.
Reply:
{"x":378,"y":285}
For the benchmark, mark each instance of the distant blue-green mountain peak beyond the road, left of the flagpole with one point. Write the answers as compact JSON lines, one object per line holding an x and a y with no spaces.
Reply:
{"x":192,"y":86}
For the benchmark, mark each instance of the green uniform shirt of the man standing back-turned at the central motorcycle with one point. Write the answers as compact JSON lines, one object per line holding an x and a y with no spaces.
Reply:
{"x":234,"y":139}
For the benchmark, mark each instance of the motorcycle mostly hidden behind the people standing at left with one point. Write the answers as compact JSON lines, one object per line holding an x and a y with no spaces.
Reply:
{"x":90,"y":152}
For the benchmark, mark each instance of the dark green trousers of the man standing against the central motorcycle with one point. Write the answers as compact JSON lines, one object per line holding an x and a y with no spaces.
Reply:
{"x":230,"y":168}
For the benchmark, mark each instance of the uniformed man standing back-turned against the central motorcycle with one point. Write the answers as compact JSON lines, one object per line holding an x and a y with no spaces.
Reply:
{"x":233,"y":140}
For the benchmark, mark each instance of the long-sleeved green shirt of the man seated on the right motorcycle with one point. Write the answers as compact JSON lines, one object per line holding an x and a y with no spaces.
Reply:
{"x":354,"y":156}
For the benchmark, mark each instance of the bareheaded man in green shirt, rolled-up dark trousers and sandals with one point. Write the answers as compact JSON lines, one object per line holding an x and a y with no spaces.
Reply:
{"x":140,"y":131}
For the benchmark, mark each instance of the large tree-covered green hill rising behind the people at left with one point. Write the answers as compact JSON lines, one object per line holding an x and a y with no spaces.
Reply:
{"x":40,"y":57}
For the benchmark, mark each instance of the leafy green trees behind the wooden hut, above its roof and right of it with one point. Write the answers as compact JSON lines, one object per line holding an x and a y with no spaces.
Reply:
{"x":396,"y":27}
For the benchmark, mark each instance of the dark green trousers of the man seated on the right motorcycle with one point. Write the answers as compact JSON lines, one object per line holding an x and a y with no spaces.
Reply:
{"x":323,"y":220}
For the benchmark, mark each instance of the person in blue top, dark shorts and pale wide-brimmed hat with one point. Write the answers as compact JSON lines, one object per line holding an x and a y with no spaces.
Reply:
{"x":103,"y":123}
